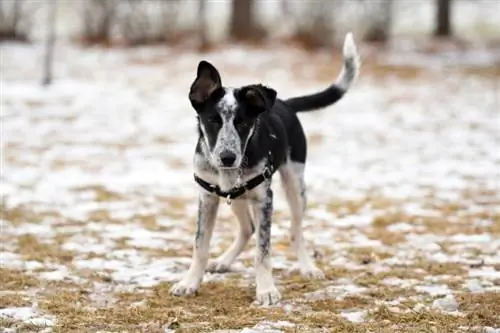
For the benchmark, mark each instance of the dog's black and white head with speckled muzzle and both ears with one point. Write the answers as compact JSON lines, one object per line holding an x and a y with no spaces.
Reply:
{"x":227,"y":117}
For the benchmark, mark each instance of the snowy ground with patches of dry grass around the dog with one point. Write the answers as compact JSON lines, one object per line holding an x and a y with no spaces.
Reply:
{"x":99,"y":205}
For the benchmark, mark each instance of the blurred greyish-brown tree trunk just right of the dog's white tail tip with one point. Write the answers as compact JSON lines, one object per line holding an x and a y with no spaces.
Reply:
{"x":380,"y":21}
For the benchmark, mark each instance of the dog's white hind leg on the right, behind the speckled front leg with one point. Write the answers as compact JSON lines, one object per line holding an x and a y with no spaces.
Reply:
{"x":292,"y":175}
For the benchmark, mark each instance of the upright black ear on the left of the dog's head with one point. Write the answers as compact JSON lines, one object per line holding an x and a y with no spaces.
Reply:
{"x":207,"y":80}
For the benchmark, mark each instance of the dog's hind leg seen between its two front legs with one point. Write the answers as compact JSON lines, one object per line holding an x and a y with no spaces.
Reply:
{"x":222,"y":264}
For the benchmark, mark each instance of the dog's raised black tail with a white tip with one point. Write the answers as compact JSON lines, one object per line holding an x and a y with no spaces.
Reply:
{"x":335,"y":92}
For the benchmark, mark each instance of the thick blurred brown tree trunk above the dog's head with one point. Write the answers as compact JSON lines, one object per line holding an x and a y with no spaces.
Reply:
{"x":242,"y":20}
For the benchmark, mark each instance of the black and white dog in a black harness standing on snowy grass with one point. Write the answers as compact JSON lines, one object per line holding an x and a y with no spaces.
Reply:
{"x":245,"y":135}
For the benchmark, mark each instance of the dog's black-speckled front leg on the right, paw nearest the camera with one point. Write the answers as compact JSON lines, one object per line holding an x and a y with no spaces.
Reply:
{"x":267,"y":293}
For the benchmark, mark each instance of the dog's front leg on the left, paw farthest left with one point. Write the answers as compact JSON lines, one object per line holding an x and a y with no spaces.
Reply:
{"x":207,"y":211}
